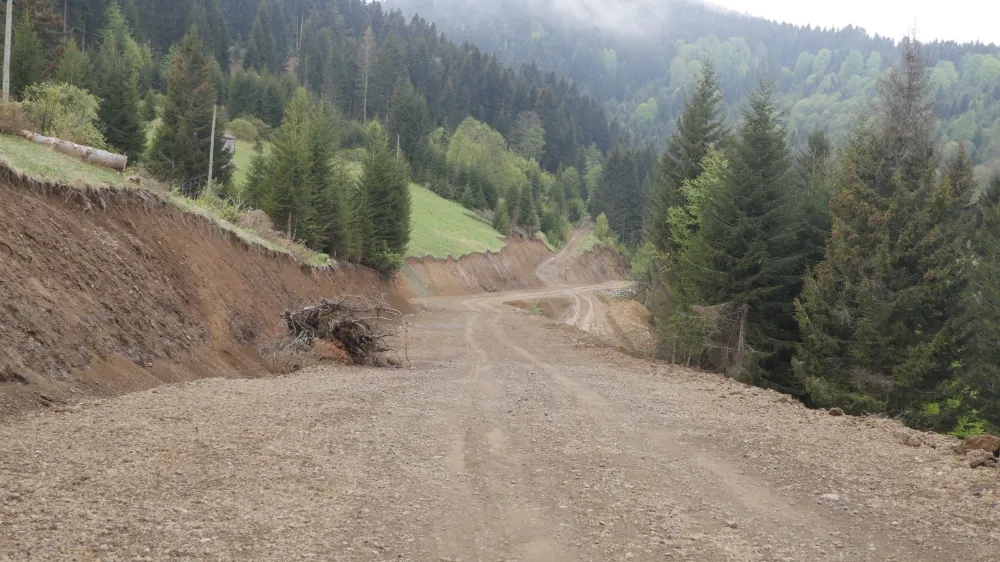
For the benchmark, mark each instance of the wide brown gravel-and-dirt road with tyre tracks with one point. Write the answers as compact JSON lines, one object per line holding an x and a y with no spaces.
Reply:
{"x":511,"y":438}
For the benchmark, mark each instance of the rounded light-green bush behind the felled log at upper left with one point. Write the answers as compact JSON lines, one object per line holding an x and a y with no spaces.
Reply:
{"x":64,"y":111}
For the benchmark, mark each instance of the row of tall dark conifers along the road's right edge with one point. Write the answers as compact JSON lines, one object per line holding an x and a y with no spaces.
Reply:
{"x":861,"y":275}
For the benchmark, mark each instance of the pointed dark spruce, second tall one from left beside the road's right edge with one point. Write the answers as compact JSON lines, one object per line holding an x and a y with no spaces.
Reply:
{"x":744,"y":252}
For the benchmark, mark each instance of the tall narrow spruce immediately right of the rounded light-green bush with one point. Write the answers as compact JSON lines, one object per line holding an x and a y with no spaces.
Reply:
{"x":117,"y":66}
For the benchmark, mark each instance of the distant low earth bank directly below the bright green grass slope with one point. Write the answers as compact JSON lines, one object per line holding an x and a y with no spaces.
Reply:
{"x":510,"y":268}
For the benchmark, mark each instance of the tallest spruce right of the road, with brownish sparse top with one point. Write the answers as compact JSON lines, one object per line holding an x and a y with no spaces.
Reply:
{"x":881,"y":315}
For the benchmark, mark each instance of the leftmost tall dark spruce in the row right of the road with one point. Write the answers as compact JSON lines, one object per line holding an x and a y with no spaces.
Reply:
{"x":699,"y":126}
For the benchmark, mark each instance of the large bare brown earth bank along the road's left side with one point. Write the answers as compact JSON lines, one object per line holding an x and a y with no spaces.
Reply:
{"x":110,"y":291}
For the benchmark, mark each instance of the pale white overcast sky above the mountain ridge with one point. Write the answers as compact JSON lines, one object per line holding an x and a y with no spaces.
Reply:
{"x":960,"y":20}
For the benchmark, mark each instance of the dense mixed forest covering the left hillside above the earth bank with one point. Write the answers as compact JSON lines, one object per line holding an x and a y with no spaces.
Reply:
{"x":344,"y":102}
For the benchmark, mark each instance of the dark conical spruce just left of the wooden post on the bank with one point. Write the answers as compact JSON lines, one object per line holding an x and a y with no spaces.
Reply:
{"x":180,"y":150}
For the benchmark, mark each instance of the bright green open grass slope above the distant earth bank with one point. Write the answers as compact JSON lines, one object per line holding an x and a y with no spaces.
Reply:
{"x":443,"y":228}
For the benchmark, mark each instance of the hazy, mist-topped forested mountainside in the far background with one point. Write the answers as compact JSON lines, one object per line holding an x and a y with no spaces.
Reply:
{"x":641,"y":72}
